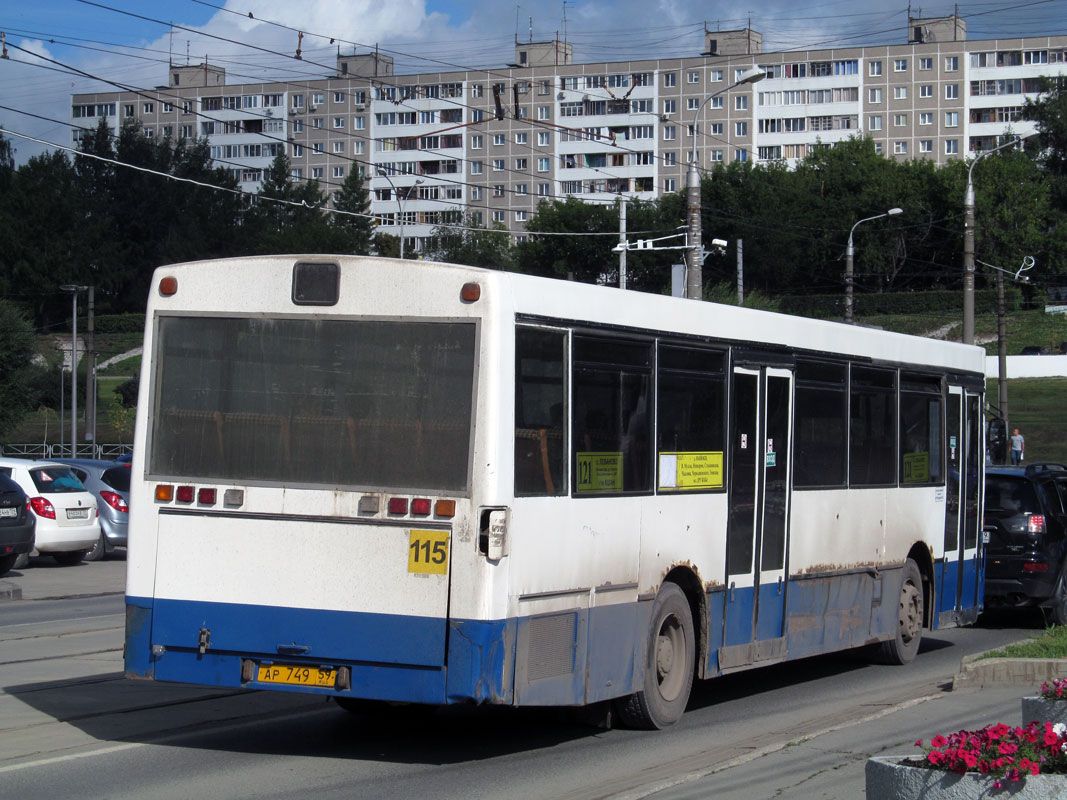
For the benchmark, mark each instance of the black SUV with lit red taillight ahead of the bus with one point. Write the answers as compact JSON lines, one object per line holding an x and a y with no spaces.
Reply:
{"x":1026,"y":529}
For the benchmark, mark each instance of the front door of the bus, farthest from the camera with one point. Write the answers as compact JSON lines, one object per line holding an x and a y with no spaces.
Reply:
{"x":960,"y":584}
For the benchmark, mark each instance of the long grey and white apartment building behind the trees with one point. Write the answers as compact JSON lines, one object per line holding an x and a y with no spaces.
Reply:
{"x":496,"y":143}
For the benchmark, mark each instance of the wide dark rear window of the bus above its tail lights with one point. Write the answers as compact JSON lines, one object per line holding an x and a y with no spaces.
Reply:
{"x":376,"y":405}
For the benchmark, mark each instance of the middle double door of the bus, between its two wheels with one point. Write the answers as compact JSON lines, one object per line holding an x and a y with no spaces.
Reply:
{"x":758,"y":526}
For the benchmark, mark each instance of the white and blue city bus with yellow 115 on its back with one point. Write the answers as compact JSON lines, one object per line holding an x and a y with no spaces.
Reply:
{"x":411,"y":483}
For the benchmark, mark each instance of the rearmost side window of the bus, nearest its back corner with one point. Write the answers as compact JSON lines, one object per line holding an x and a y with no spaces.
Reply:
{"x":540,"y":403}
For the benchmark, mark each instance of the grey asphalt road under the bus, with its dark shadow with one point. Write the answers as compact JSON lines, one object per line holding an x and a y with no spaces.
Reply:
{"x":72,"y":727}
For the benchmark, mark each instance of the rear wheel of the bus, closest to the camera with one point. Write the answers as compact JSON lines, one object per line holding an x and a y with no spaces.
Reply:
{"x":670,"y":665}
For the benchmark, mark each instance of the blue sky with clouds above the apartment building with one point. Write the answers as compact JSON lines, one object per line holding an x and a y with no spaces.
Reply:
{"x":56,"y":49}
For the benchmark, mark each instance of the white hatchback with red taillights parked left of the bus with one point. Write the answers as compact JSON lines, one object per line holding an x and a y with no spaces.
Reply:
{"x":68,"y":522}
